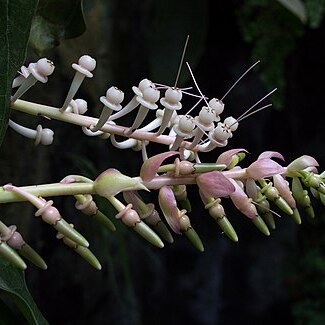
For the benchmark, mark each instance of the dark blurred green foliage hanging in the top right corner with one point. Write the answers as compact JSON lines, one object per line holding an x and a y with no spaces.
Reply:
{"x":274,"y":32}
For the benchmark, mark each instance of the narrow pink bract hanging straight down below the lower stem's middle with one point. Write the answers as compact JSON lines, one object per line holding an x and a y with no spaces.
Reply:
{"x":168,"y":205}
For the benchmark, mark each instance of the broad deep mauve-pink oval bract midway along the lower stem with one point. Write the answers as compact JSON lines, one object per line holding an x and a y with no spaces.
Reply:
{"x":214,"y":184}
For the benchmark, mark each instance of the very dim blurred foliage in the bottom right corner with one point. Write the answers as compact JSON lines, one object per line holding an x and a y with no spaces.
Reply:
{"x":306,"y":281}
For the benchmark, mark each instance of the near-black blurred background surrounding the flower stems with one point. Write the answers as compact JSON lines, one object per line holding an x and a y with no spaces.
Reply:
{"x":277,"y":279}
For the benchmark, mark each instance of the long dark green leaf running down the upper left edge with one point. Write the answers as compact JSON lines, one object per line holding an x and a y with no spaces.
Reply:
{"x":15,"y":22}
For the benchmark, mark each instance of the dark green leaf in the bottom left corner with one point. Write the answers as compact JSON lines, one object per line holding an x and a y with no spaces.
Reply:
{"x":13,"y":282}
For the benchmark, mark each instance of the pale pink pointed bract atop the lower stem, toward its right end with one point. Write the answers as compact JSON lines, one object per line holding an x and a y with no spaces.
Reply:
{"x":264,"y":167}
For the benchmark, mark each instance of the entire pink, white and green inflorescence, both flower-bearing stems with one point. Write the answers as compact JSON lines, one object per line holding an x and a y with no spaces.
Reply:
{"x":252,"y":190}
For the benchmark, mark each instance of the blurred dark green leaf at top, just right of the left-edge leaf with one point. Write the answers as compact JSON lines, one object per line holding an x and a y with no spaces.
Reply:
{"x":56,"y":20}
